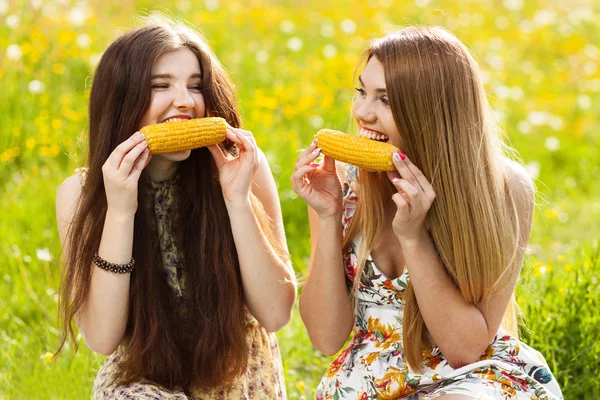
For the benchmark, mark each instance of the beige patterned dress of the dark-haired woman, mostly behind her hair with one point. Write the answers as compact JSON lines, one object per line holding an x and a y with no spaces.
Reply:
{"x":263,"y":378}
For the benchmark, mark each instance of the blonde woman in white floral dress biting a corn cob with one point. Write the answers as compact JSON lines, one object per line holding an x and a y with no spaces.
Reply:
{"x":421,"y":263}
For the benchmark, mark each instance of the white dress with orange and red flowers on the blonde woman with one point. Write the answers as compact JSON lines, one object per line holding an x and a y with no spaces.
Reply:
{"x":372,"y":365}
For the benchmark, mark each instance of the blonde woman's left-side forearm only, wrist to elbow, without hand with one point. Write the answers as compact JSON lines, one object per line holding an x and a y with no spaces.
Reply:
{"x":325,"y":304}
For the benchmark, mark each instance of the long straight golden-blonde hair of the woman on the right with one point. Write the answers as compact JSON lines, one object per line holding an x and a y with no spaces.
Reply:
{"x":441,"y":111}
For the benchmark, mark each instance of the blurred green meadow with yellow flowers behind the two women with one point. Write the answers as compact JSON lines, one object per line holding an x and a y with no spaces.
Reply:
{"x":293,"y":63}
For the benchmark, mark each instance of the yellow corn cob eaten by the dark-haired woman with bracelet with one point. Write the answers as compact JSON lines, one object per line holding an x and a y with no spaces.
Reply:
{"x":169,"y":137}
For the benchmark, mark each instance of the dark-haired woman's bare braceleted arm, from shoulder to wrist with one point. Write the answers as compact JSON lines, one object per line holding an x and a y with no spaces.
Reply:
{"x":102,"y":320}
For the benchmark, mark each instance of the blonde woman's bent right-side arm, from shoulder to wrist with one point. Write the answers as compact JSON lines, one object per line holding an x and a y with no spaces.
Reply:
{"x":461,"y":330}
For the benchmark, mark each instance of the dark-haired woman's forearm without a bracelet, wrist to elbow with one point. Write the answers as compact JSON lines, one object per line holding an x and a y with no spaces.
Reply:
{"x":268,"y":281}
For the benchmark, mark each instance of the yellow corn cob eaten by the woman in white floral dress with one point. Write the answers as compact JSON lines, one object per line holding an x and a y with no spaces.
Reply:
{"x":356,"y":150}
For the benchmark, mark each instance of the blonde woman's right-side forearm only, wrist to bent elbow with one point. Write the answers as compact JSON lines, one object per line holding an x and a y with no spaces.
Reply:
{"x":458,"y":328}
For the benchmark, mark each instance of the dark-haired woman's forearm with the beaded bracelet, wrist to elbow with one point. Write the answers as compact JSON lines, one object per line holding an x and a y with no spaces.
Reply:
{"x":103,"y":318}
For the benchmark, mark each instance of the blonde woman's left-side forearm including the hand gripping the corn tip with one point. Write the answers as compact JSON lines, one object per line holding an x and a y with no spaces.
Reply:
{"x":325,"y":304}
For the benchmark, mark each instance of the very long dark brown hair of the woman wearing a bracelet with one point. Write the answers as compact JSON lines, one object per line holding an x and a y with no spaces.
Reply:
{"x":206,"y":347}
